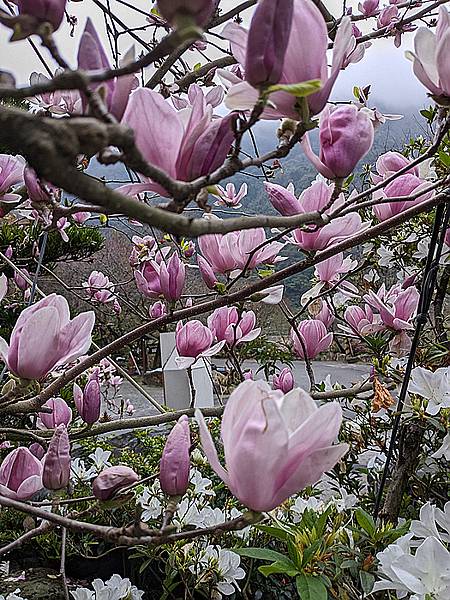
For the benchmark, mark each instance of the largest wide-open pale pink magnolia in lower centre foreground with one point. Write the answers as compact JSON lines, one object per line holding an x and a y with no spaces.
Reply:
{"x":274,"y":445}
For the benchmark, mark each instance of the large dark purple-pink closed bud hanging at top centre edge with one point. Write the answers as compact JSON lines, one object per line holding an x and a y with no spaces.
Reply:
{"x":267,"y":41}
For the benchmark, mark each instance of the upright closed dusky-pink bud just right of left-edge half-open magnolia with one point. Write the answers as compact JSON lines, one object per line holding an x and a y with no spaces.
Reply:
{"x":56,"y":463}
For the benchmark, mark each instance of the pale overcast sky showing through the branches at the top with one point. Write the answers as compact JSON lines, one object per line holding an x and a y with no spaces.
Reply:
{"x":394,"y":87}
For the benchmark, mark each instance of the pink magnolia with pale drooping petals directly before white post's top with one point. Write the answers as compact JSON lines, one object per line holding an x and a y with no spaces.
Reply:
{"x":194,"y":340}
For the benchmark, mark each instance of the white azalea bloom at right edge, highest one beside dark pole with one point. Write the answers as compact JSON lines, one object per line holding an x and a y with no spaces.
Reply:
{"x":433,"y":386}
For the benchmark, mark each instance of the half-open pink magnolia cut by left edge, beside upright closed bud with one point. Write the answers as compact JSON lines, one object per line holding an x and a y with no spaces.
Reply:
{"x":20,"y":475}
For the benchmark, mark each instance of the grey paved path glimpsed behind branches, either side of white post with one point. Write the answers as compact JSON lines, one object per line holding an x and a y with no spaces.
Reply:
{"x":345,"y":373}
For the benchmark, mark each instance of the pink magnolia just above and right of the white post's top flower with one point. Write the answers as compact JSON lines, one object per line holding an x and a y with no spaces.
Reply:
{"x":232,"y":327}
